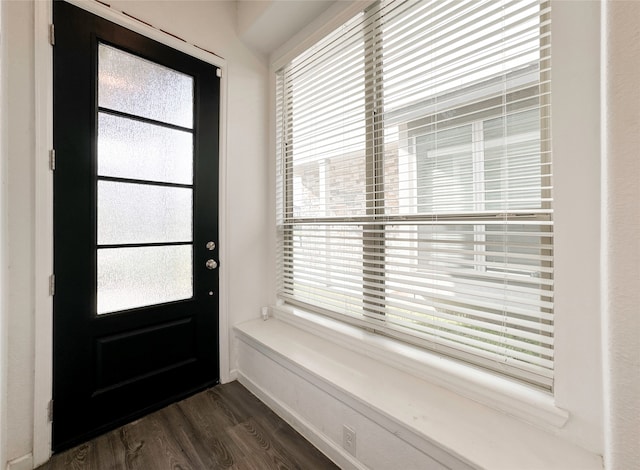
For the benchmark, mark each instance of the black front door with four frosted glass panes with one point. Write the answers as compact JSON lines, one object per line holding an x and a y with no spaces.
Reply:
{"x":135,"y":225}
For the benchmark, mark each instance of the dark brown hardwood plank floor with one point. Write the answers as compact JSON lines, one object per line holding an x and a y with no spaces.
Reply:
{"x":225,"y":427}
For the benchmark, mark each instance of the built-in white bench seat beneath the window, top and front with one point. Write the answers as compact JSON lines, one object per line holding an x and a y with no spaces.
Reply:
{"x":401,"y":421}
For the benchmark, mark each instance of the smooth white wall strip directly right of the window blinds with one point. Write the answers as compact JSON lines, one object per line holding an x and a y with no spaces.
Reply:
{"x":575,"y":114}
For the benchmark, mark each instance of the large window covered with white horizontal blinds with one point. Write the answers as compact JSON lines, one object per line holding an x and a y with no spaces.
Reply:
{"x":414,"y":179}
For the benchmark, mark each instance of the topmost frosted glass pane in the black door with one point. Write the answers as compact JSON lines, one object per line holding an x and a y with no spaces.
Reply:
{"x":133,"y":85}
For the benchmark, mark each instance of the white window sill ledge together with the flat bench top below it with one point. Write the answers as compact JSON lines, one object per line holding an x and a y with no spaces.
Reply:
{"x":473,"y":416}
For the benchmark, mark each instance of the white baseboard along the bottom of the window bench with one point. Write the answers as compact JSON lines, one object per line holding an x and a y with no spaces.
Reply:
{"x":338,"y":455}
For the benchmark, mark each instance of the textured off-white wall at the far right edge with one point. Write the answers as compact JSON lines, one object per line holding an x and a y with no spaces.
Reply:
{"x":621,"y":242}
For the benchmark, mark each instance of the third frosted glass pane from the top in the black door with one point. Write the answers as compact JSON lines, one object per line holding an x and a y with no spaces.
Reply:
{"x":143,"y":213}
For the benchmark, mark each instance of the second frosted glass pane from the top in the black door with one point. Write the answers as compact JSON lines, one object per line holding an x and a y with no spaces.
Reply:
{"x":132,"y":149}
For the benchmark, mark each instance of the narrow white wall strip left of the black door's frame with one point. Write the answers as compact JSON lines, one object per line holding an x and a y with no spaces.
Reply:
{"x":19,"y":73}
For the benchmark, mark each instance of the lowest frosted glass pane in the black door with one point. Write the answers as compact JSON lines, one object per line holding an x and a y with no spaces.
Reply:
{"x":142,"y":276}
